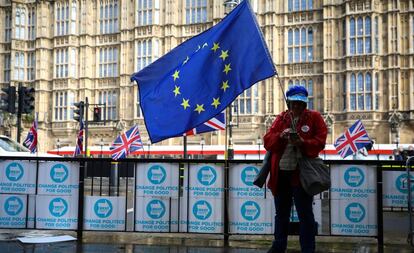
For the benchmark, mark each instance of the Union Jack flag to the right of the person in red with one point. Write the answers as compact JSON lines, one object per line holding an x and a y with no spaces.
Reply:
{"x":354,"y":139}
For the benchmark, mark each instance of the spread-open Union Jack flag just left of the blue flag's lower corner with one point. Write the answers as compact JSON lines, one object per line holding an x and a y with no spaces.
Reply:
{"x":126,"y":143}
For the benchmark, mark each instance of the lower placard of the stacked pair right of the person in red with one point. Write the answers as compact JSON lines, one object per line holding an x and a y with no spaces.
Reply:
{"x":354,"y":217}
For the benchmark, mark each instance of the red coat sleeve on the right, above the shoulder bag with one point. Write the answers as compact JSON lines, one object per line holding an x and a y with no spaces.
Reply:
{"x":313,"y":146}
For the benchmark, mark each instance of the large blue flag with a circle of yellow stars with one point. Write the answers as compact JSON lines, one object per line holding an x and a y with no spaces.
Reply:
{"x":199,"y":78}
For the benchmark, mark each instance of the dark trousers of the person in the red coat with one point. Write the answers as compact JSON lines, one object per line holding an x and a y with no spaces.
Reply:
{"x":283,"y":204}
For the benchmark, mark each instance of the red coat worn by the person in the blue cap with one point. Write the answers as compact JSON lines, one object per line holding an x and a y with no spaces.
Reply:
{"x":311,"y":127}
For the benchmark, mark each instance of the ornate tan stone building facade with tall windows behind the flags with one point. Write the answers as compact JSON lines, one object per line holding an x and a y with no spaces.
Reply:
{"x":355,"y":57}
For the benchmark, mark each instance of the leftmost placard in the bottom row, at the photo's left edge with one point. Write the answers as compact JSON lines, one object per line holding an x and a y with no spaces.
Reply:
{"x":13,"y":211}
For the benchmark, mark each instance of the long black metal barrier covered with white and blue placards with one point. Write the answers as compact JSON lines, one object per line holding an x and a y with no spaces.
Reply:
{"x":200,"y":196}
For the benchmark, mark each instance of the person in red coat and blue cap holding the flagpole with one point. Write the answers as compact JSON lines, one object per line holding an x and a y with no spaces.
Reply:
{"x":287,"y":148}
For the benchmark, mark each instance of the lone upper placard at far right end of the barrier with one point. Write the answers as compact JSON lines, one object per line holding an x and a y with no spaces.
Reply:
{"x":395,"y":188}
